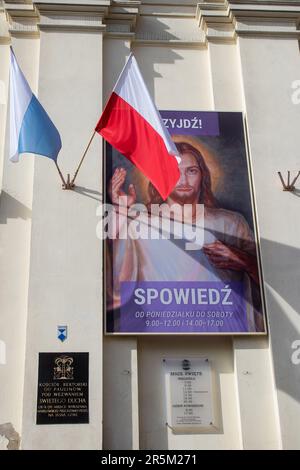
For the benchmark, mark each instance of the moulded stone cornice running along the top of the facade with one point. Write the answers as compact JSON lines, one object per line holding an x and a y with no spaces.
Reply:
{"x":217,"y":21}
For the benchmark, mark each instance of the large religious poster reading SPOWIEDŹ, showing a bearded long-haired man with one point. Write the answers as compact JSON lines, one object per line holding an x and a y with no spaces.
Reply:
{"x":188,"y":264}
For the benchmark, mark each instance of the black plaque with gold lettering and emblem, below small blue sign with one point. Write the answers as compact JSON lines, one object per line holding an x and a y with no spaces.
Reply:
{"x":63,"y":388}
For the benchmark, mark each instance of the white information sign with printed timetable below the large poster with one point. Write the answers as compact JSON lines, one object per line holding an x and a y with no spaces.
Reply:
{"x":189,"y":395}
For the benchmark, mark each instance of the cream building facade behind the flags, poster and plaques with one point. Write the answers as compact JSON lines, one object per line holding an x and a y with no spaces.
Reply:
{"x":206,"y":56}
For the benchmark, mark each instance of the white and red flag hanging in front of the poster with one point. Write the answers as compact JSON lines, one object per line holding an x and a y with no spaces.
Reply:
{"x":131,"y":123}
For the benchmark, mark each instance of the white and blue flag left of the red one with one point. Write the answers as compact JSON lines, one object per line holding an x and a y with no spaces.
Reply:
{"x":31,"y":129}
